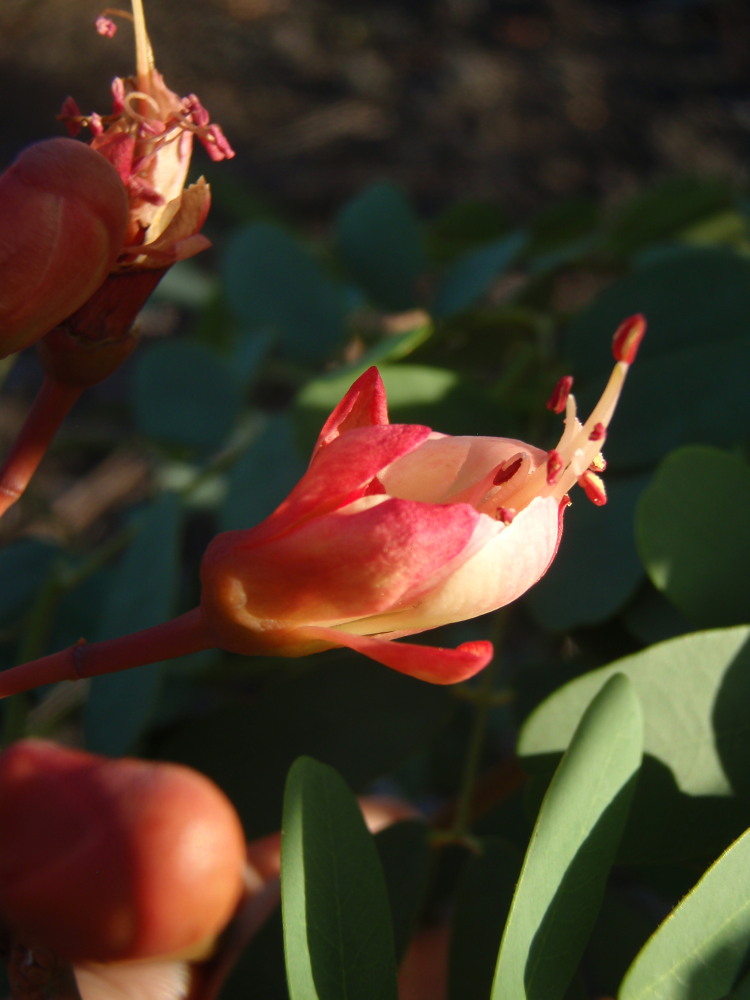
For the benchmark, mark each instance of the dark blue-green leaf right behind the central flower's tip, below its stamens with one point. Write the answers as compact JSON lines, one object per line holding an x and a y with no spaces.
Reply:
{"x":597,"y":569}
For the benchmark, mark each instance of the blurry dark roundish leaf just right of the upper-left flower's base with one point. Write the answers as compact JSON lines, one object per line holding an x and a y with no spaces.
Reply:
{"x":185,"y":395}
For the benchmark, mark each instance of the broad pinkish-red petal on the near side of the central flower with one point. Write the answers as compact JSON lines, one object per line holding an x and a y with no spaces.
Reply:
{"x":376,"y":555}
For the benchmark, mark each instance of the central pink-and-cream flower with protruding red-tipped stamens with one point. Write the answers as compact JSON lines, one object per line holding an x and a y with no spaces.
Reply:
{"x":395,"y":529}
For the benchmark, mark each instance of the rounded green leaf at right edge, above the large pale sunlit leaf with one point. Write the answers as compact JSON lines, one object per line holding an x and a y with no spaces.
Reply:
{"x":693,"y":534}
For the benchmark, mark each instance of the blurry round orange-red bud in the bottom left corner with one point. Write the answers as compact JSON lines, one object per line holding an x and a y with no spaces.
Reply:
{"x":112,"y":860}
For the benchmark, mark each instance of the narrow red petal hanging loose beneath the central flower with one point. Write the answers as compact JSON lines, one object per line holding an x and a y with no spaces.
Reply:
{"x":426,"y":663}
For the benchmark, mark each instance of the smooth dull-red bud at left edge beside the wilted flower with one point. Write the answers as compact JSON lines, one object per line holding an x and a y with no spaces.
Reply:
{"x":63,"y":218}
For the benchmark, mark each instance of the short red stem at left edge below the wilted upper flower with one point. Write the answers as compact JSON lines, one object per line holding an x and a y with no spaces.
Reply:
{"x":52,"y":404}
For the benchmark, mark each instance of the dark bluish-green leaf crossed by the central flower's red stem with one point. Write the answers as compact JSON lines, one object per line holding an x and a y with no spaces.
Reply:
{"x":143,"y":593}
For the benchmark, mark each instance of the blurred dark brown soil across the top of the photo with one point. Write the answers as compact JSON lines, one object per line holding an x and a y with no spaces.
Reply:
{"x":517,"y":101}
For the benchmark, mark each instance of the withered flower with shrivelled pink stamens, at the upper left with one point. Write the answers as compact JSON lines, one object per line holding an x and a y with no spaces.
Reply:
{"x":148,"y":137}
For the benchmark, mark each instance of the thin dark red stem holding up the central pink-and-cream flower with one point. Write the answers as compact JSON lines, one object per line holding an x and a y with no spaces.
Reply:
{"x":178,"y":637}
